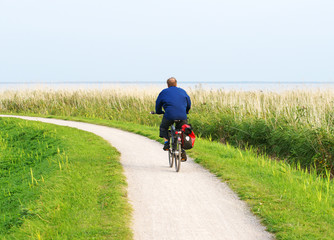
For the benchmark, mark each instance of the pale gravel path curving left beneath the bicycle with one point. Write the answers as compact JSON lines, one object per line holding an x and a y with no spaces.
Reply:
{"x":191,"y":204}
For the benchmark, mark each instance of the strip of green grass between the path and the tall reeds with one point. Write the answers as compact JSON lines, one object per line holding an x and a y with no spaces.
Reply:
{"x":292,"y":203}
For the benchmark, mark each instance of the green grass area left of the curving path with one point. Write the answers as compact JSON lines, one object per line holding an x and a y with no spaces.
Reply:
{"x":56,"y":187}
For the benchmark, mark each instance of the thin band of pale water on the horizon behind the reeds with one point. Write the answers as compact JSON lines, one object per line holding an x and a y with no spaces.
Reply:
{"x":240,"y":86}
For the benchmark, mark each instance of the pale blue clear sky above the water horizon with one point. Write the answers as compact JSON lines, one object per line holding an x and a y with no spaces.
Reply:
{"x":151,"y":40}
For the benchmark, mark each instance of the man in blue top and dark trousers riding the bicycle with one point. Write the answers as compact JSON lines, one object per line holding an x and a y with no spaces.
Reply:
{"x":176,"y":104}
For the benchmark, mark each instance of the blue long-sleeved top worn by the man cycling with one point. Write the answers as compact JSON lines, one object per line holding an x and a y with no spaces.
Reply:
{"x":176,"y":103}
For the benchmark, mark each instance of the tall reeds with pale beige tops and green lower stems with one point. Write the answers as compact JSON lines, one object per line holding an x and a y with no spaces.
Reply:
{"x":295,"y":125}
